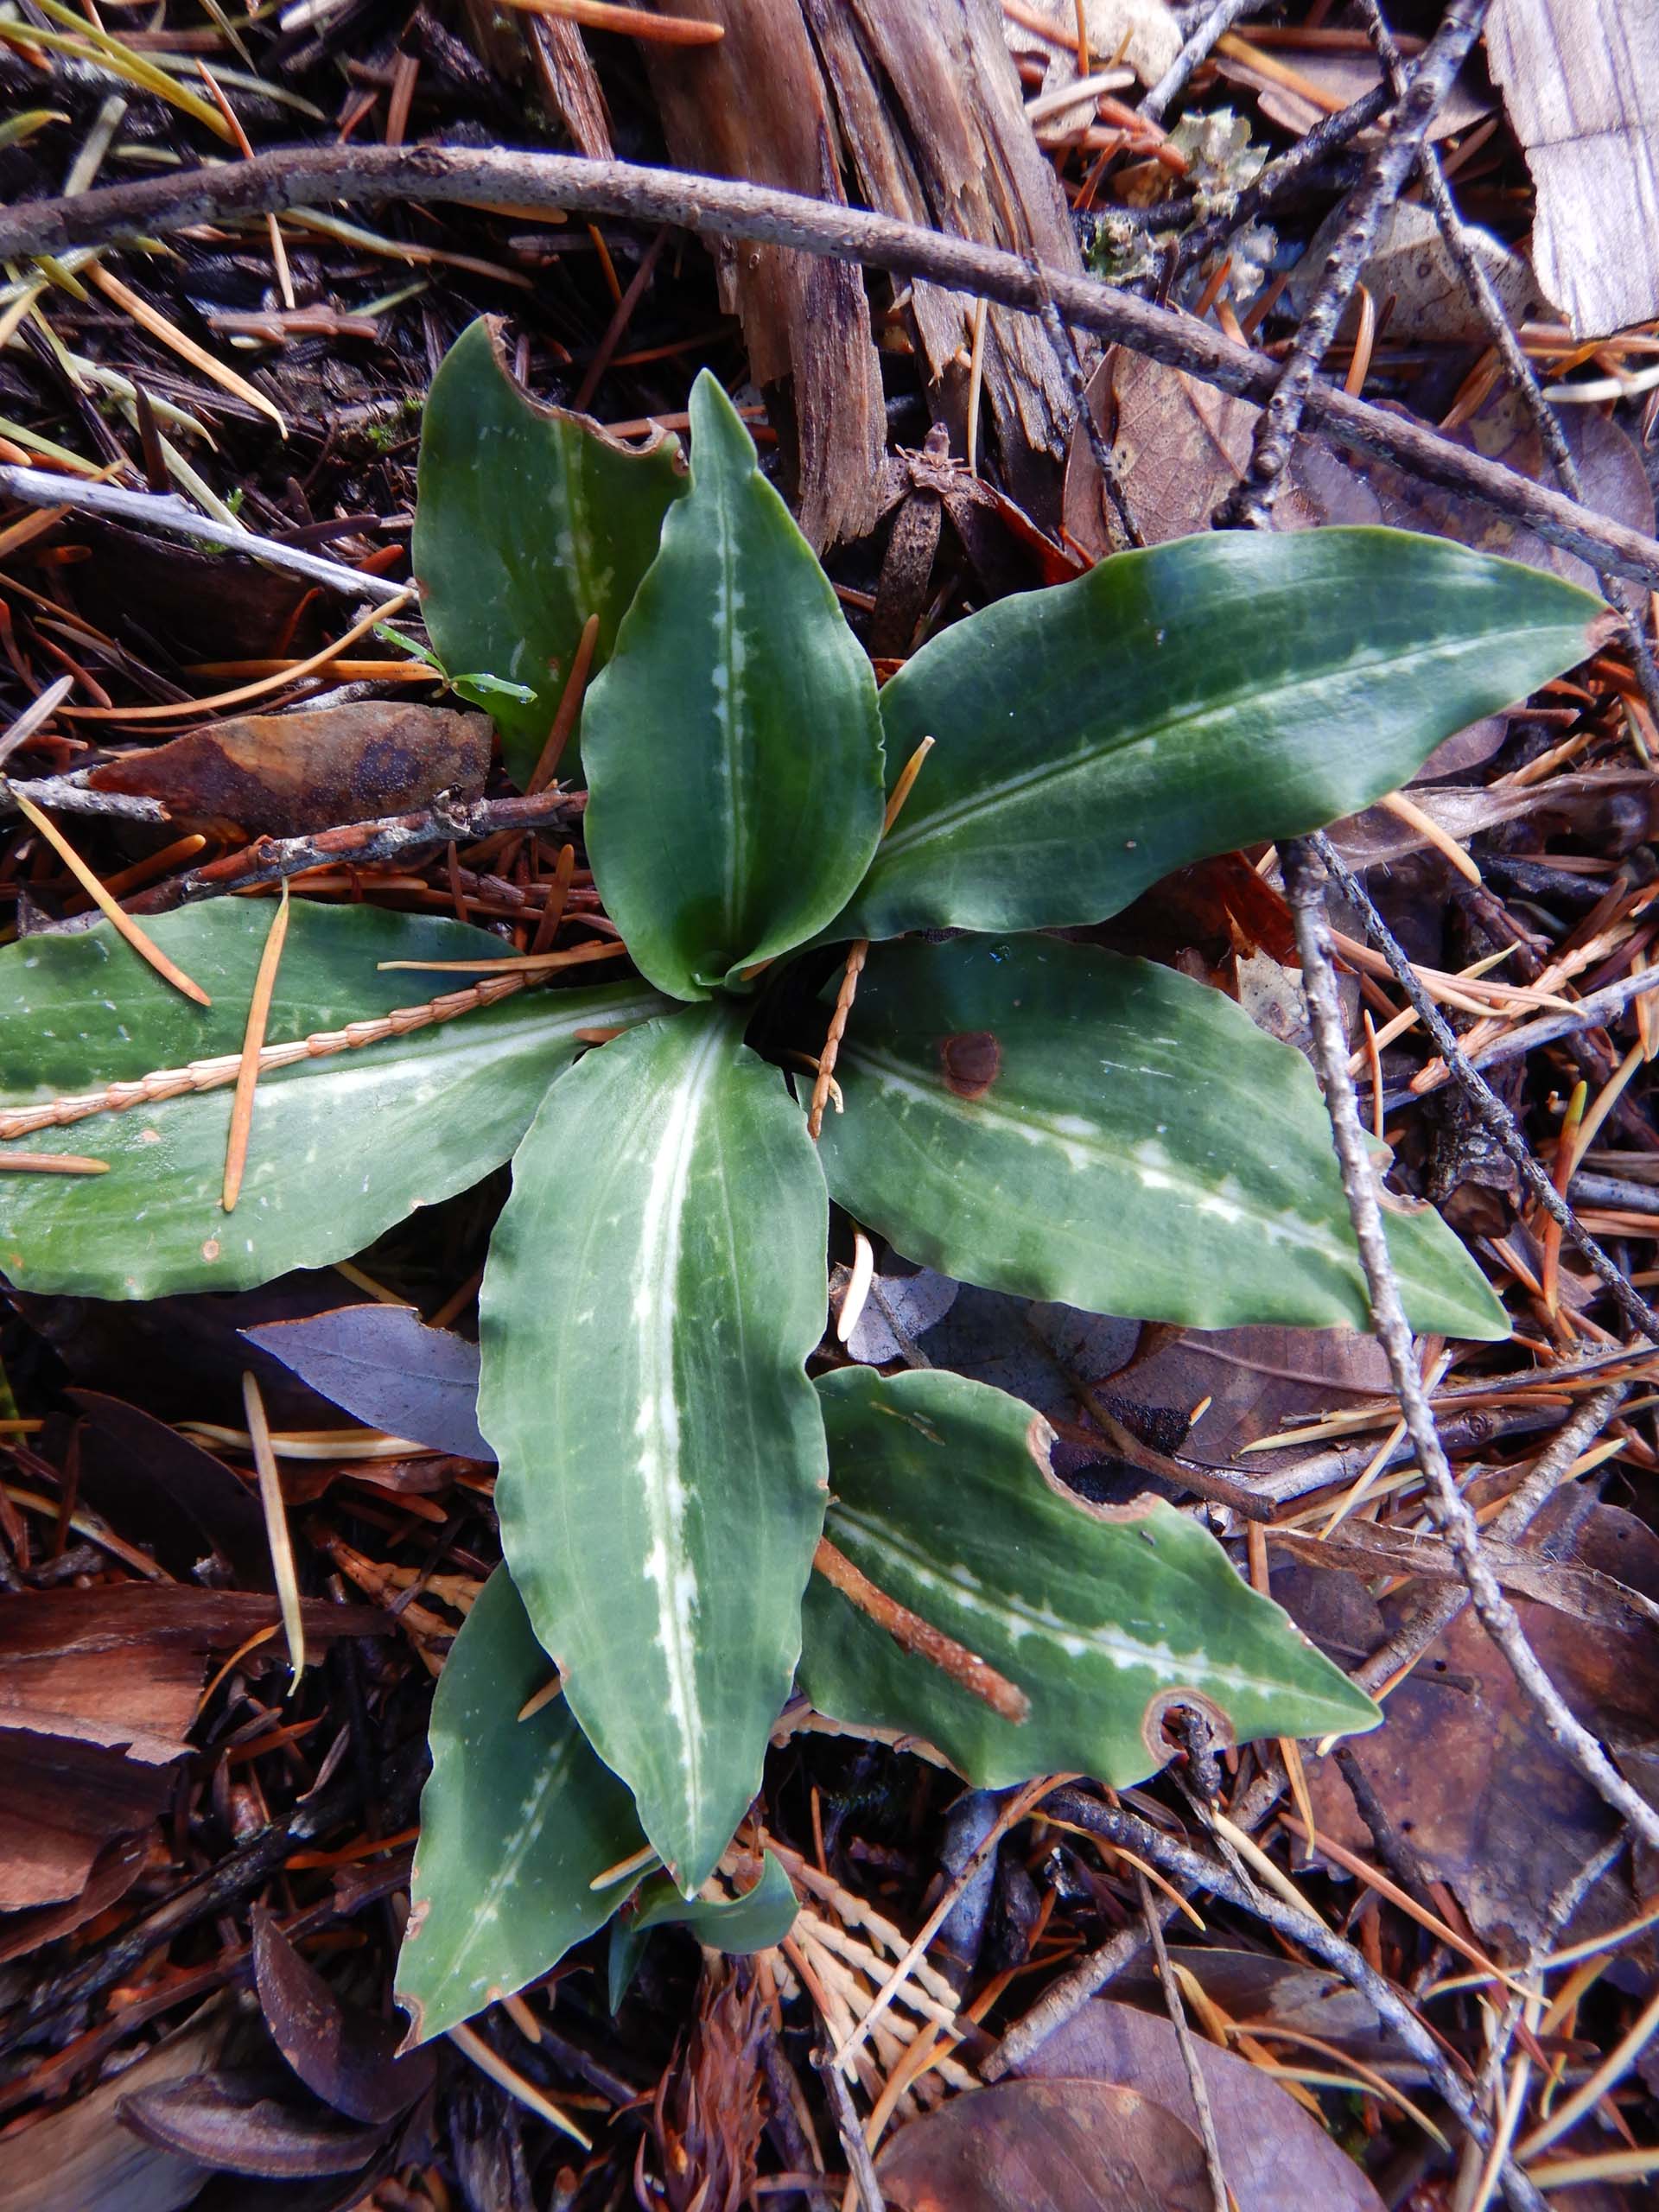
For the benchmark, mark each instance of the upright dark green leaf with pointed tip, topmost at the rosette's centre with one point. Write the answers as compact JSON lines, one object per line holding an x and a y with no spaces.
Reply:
{"x":733,"y":744}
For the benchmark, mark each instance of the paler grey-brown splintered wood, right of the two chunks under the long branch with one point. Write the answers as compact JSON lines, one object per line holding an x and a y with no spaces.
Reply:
{"x":937,"y":134}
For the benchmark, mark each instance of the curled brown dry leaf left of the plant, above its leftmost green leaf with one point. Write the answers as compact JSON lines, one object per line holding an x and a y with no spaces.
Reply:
{"x":291,"y":775}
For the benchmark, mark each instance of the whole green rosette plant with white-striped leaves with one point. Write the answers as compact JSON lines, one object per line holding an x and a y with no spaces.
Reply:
{"x":1023,"y":1112}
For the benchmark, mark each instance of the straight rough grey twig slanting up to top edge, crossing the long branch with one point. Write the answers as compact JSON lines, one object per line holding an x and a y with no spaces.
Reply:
{"x":1379,"y":189}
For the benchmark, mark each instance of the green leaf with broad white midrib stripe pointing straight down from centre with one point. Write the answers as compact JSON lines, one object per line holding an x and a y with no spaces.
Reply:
{"x":654,"y":1291}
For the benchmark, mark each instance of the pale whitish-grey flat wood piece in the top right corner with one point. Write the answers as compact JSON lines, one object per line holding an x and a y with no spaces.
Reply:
{"x":1580,"y":83}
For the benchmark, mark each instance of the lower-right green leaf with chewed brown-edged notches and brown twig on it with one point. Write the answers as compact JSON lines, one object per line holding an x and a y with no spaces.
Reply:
{"x":1105,"y":1616}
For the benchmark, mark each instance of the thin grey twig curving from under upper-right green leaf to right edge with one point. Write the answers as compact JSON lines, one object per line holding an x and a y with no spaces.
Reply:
{"x":1454,"y":1516}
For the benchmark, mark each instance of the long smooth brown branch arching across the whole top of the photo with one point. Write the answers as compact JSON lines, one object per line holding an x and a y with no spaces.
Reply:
{"x":328,"y":176}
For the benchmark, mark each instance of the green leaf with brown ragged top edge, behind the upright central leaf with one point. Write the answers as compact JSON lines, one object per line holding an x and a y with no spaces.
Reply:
{"x":528,"y":523}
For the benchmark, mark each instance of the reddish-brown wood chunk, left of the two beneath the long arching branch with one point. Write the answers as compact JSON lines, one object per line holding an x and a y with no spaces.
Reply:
{"x":755,"y":107}
